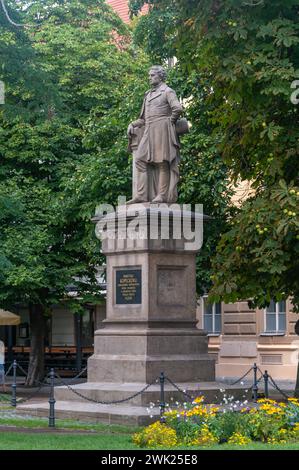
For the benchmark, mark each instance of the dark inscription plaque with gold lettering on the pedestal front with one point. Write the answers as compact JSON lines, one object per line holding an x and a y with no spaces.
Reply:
{"x":128,"y":286}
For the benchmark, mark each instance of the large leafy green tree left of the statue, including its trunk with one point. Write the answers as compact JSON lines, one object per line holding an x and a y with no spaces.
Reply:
{"x":61,"y":153}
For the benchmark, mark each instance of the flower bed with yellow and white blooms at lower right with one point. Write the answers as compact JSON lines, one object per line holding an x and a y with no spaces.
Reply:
{"x":204,"y":425}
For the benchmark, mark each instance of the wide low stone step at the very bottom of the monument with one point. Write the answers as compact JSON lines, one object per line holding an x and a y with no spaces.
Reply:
{"x":140,"y":411}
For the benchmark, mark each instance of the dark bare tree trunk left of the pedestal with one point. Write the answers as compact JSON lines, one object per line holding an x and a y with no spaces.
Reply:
{"x":37,"y":350}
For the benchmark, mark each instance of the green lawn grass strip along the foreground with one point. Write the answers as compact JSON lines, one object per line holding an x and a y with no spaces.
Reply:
{"x":97,"y":436}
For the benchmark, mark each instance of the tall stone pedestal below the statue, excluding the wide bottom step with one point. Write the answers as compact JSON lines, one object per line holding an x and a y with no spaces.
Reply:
{"x":151,"y":303}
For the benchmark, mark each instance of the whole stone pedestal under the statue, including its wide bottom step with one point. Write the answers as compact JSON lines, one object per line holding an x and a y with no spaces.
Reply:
{"x":151,"y":321}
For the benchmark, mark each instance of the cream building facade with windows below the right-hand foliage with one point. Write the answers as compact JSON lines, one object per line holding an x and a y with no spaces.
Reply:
{"x":239,"y":337}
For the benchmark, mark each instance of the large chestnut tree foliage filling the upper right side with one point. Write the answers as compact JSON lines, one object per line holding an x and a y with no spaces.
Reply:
{"x":248,"y":55}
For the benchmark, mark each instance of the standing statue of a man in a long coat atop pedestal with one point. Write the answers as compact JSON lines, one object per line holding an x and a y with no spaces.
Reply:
{"x":156,"y":155}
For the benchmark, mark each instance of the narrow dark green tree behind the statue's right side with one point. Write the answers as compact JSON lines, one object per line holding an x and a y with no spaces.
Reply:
{"x":204,"y":176}
